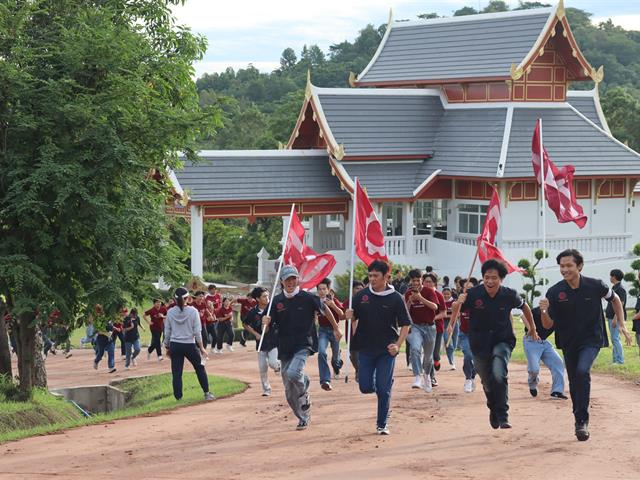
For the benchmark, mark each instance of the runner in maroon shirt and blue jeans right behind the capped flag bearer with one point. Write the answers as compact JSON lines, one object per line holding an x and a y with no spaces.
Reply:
{"x":326,"y":336}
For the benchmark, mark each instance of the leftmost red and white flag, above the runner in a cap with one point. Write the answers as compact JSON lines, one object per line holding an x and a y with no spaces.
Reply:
{"x":311,"y":266}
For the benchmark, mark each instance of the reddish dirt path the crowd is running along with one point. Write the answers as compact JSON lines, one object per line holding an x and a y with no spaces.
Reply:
{"x":445,"y":434}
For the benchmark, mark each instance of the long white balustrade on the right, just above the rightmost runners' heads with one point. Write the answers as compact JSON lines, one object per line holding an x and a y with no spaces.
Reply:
{"x":596,"y":243}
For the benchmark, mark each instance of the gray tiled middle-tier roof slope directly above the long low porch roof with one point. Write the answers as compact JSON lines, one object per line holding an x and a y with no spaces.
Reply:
{"x":379,"y":124}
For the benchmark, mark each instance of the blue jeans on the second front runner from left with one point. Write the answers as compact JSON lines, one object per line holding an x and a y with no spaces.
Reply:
{"x":375,"y":374}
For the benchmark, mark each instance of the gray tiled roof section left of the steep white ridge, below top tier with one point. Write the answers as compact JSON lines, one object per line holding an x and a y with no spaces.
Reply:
{"x":468,"y":142}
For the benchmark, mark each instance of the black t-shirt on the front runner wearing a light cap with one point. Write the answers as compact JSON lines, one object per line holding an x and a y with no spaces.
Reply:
{"x":295,"y":322}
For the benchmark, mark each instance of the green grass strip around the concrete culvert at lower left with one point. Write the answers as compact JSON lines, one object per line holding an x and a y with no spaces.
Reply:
{"x":46,"y":413}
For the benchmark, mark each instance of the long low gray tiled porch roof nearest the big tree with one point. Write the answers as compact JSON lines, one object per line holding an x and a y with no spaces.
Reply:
{"x":260,"y":175}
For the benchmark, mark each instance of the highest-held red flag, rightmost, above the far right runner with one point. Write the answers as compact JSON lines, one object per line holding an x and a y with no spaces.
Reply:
{"x":558,"y":184}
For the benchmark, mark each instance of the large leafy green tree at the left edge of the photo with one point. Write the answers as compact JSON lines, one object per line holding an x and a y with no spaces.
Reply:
{"x":96,"y":99}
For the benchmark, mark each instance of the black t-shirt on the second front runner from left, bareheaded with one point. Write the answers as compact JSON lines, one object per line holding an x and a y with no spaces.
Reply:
{"x":380,"y":318}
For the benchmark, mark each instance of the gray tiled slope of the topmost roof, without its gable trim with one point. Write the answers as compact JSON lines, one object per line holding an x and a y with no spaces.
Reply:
{"x":460,"y":47}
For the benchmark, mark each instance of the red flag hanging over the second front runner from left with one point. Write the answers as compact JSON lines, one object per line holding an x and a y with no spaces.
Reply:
{"x":369,"y":239}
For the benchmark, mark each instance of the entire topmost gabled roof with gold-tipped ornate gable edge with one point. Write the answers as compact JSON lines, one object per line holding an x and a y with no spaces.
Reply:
{"x":483,"y":47}
